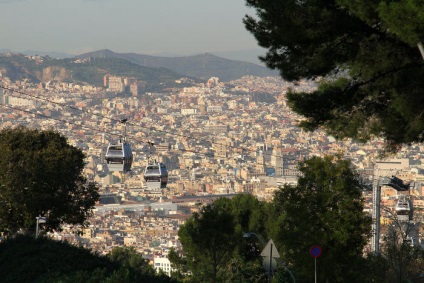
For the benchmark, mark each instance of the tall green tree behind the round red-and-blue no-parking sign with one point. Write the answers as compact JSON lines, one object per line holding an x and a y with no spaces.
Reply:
{"x":326,"y":209}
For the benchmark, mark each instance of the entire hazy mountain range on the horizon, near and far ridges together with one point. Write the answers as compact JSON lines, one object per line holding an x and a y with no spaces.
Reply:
{"x":158,"y":72}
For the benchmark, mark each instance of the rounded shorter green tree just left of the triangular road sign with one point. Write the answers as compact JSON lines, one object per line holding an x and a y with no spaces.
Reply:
{"x":214,"y":249}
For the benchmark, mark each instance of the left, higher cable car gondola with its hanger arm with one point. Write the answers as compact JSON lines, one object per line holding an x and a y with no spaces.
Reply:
{"x":119,"y":156}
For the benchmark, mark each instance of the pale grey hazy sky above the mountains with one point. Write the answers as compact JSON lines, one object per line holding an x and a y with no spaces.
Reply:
{"x":141,"y":26}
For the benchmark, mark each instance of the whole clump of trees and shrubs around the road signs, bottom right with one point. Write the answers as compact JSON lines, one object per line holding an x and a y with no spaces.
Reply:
{"x":325,"y":208}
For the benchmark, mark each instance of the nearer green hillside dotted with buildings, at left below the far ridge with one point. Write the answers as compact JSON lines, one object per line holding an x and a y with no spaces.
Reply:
{"x":43,"y":69}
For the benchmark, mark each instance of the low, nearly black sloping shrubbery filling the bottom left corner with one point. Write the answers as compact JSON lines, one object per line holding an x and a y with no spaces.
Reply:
{"x":24,"y":259}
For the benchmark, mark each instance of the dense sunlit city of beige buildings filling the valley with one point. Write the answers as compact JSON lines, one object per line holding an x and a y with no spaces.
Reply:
{"x":216,"y":139}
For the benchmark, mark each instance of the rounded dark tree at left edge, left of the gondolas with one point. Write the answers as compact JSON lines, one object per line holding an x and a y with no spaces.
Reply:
{"x":41,"y":175}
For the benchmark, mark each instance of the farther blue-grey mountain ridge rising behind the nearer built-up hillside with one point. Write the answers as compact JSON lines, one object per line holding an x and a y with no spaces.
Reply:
{"x":202,"y":66}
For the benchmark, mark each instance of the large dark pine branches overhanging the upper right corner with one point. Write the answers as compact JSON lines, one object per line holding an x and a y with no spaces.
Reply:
{"x":364,"y":54}
